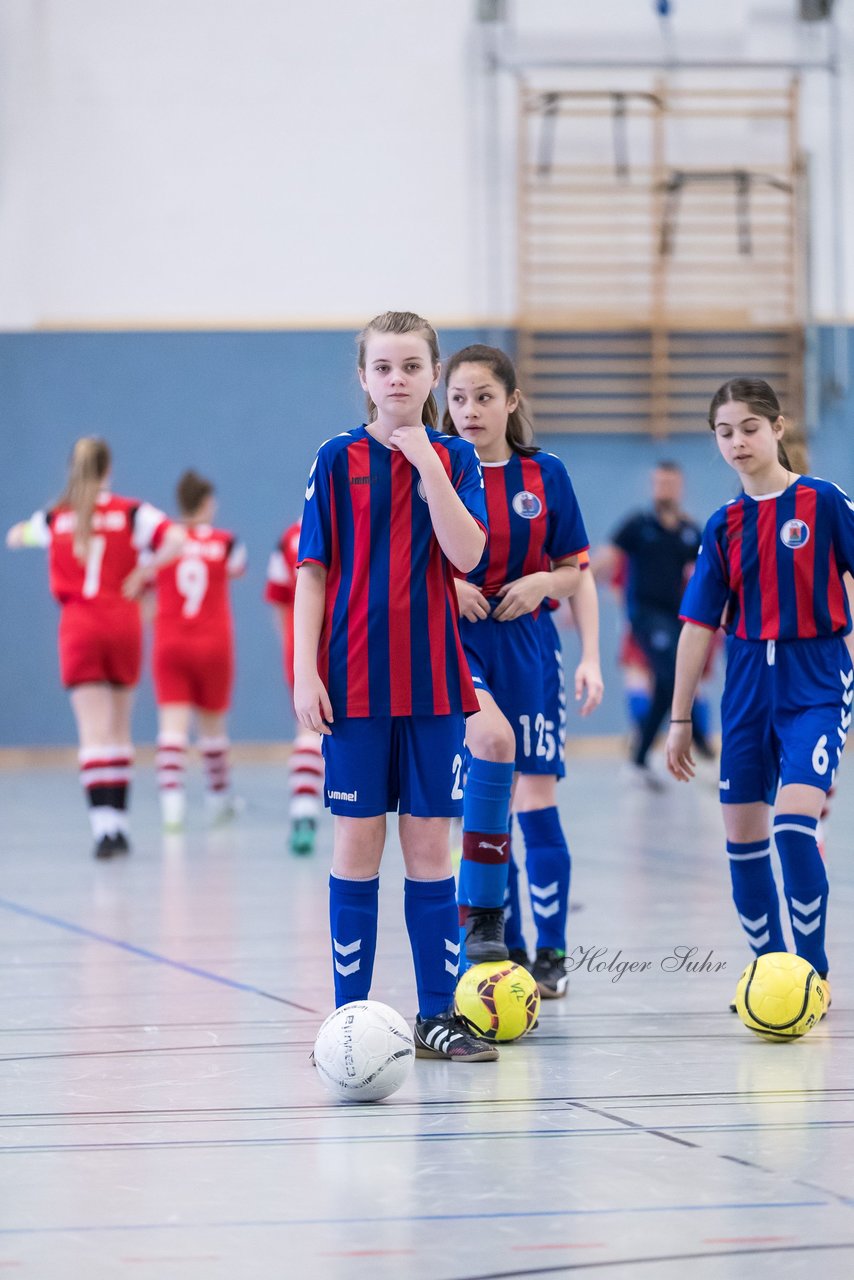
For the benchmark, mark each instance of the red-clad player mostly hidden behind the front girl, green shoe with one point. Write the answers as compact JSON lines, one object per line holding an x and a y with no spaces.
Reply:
{"x":305,"y":766}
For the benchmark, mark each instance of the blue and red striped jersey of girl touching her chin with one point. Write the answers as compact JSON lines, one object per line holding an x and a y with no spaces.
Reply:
{"x":390,"y":643}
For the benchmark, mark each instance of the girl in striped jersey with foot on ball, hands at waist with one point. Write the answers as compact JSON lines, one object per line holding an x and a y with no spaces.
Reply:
{"x":537,"y":536}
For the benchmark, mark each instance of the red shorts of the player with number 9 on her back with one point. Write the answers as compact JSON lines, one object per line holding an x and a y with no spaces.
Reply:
{"x":195,"y":673}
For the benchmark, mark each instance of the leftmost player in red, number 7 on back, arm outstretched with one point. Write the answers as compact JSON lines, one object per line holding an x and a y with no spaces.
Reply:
{"x":94,"y":542}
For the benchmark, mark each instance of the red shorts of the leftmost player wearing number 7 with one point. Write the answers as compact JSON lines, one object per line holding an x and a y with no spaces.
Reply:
{"x":101,"y":646}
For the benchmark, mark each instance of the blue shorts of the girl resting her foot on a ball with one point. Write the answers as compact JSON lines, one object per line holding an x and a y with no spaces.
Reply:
{"x":506,"y":661}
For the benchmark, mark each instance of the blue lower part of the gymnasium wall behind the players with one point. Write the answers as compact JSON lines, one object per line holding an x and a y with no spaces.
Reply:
{"x":249,"y":410}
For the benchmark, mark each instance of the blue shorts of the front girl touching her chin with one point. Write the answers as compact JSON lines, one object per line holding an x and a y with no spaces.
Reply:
{"x":380,"y":765}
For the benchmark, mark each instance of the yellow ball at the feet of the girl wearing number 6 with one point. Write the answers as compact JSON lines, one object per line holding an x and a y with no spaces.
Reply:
{"x":780,"y":996}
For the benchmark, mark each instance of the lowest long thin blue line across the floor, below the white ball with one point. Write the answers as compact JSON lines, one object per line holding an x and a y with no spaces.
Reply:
{"x":405,"y":1218}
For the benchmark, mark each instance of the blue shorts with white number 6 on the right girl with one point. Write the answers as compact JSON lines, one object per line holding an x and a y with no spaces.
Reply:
{"x":786,"y":715}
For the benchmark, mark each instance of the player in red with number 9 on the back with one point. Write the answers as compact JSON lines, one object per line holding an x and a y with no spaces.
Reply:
{"x":194,"y":655}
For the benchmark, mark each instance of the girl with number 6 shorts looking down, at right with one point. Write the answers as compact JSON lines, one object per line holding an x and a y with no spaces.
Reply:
{"x":773,"y":564}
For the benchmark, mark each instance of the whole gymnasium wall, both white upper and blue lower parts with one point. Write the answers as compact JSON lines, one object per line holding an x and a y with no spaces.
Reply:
{"x":202,"y":200}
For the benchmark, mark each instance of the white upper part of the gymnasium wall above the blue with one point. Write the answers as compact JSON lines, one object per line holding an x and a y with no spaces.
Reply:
{"x":273,"y":162}
